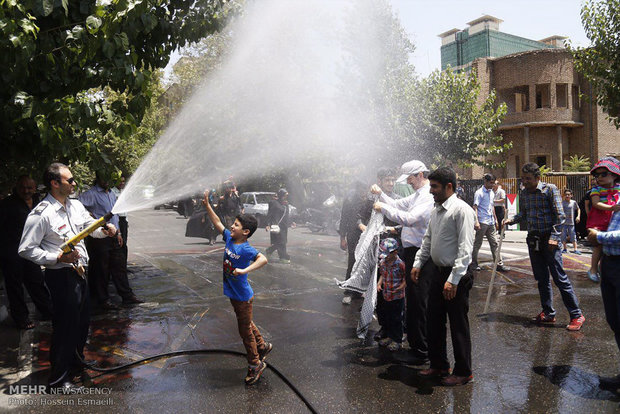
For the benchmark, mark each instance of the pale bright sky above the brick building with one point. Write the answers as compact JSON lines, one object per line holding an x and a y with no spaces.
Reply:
{"x":533,"y":19}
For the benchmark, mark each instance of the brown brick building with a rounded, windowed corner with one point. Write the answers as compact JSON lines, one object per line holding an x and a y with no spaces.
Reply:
{"x":549,"y":116}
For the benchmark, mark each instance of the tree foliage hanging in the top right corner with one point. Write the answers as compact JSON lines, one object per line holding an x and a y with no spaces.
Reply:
{"x":600,"y":63}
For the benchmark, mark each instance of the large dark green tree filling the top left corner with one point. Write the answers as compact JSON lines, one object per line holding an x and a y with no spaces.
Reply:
{"x":61,"y":59}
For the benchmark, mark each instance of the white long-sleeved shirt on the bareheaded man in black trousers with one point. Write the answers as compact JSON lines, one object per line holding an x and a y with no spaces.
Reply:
{"x":449,"y":239}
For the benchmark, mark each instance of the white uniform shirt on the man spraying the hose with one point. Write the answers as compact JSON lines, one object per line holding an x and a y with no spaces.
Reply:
{"x":49,"y":225}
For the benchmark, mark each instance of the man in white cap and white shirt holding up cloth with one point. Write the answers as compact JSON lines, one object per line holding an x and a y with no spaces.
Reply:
{"x":413,"y":213}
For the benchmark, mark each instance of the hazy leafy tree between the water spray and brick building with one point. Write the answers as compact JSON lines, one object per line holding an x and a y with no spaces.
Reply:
{"x":453,"y":126}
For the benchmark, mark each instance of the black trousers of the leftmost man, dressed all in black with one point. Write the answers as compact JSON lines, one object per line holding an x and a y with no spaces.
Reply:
{"x":19,"y":273}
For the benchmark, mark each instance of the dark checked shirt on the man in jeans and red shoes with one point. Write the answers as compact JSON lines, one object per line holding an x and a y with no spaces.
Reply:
{"x":542,"y":209}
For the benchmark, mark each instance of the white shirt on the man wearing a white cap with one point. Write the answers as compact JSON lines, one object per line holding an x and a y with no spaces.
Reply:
{"x":413,"y":212}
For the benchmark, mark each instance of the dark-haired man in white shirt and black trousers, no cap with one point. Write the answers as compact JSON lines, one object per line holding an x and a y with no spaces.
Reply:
{"x":446,"y":254}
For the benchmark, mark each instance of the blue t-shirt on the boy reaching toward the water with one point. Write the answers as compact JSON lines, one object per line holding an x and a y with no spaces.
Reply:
{"x":237,"y":256}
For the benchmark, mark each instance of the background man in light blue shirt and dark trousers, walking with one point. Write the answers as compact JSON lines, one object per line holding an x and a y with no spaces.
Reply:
{"x":486,"y":222}
